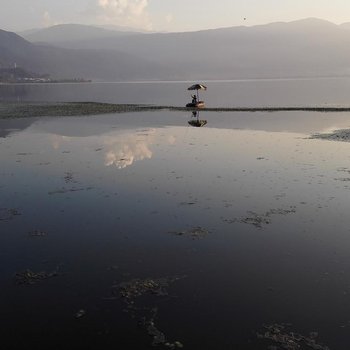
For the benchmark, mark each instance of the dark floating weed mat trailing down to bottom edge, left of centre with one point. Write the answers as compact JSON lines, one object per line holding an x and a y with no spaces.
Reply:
{"x":132,"y":291}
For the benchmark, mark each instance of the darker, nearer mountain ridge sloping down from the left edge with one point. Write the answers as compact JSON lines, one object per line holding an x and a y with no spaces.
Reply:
{"x":73,"y":63}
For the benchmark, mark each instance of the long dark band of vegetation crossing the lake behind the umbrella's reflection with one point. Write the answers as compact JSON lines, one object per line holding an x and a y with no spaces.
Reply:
{"x":9,"y":110}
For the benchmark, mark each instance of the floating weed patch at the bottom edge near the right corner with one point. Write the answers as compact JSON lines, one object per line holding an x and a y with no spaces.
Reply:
{"x":283,"y":339}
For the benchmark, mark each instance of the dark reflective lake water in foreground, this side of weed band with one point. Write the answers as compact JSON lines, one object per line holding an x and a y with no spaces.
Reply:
{"x":137,"y":226}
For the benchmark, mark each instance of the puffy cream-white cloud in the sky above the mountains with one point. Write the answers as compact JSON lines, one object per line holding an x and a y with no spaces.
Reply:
{"x":129,"y":13}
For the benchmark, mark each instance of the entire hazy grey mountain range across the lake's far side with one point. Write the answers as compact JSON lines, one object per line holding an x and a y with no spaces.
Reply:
{"x":305,"y":48}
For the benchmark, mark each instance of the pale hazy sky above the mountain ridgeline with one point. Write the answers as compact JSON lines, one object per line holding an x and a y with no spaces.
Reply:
{"x":166,"y":15}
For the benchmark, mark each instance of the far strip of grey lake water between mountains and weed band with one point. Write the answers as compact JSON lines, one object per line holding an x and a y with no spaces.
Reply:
{"x":240,"y":93}
